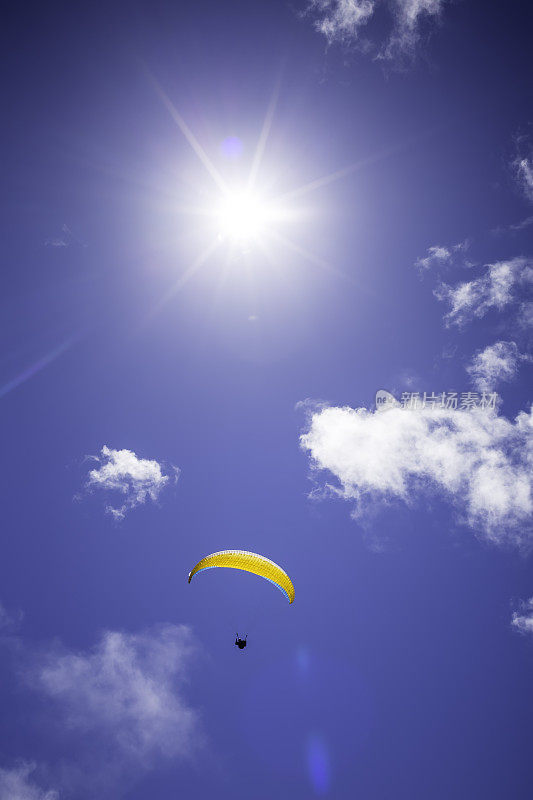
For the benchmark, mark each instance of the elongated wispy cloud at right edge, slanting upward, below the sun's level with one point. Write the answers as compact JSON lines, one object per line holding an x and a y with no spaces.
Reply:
{"x":497,"y":288}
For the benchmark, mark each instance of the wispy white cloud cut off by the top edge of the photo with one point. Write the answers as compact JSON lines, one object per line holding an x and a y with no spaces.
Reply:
{"x":342,"y":22}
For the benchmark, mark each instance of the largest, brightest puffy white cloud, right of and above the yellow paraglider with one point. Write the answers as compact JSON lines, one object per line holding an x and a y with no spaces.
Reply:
{"x":481,"y":462}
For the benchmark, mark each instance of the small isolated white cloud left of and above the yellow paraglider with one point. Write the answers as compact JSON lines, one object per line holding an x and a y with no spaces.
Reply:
{"x":136,"y":478}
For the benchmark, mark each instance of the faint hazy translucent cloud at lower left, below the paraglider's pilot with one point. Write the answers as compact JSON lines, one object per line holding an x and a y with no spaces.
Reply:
{"x":127,"y":693}
